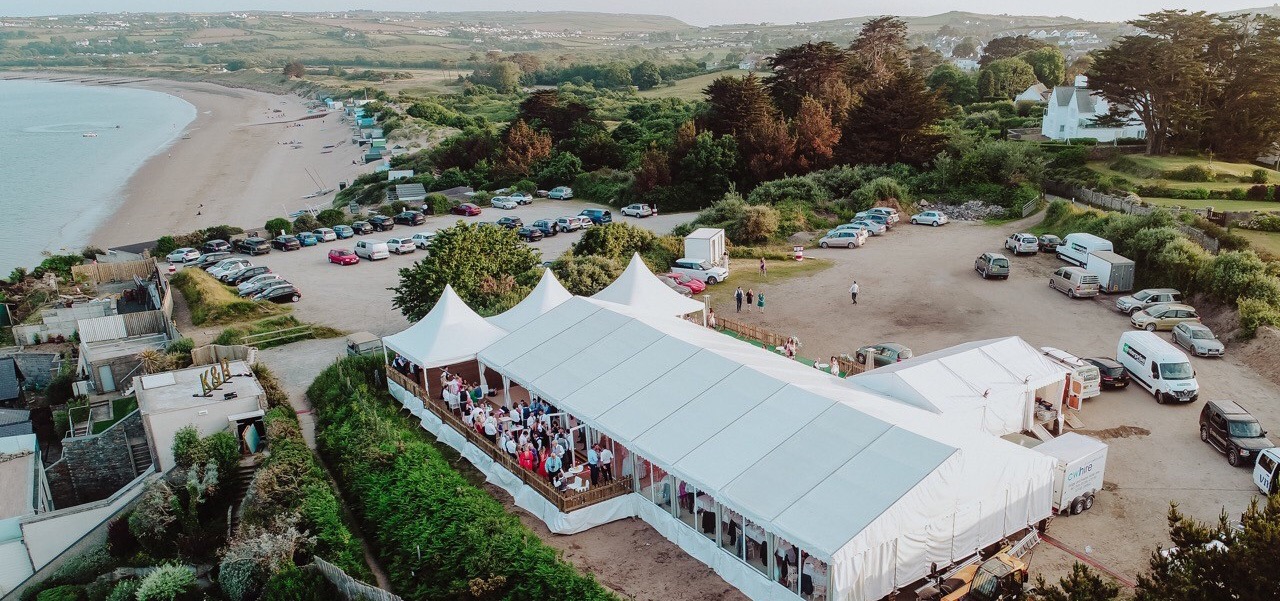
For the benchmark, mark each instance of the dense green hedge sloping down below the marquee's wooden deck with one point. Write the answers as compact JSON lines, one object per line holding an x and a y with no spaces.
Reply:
{"x":438,"y":535}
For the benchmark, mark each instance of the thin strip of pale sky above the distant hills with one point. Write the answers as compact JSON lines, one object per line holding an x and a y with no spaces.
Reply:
{"x":697,"y":12}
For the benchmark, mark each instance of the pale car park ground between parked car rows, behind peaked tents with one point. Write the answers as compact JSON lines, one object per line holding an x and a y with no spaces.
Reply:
{"x":359,"y":299}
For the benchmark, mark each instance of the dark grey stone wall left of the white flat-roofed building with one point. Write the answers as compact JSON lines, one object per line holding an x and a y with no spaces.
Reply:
{"x":100,"y":465}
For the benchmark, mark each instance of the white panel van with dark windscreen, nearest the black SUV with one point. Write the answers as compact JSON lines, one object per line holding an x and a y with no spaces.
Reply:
{"x":1158,"y":366}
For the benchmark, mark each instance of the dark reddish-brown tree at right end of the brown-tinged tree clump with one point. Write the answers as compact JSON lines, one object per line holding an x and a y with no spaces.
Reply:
{"x":897,"y":123}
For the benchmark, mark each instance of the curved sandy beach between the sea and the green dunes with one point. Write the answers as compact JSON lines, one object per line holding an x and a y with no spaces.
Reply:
{"x":235,"y":164}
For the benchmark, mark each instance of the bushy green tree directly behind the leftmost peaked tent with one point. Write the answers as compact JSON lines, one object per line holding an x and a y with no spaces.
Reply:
{"x":463,"y":256}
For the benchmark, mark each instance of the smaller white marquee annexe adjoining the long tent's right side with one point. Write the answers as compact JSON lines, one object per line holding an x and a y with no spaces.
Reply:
{"x":988,"y":386}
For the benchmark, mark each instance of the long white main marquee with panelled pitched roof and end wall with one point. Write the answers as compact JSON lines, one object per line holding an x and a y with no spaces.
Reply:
{"x":875,"y":488}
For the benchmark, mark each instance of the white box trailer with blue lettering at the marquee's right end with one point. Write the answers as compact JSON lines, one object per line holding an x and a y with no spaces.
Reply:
{"x":1081,"y":462}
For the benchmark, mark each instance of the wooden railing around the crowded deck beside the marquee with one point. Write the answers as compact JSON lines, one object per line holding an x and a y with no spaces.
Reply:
{"x":565,"y":502}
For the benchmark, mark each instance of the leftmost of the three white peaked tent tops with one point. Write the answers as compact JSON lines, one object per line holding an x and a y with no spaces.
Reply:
{"x":451,"y":333}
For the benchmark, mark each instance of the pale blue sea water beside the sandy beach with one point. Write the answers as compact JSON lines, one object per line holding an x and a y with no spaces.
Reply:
{"x":57,"y":186}
